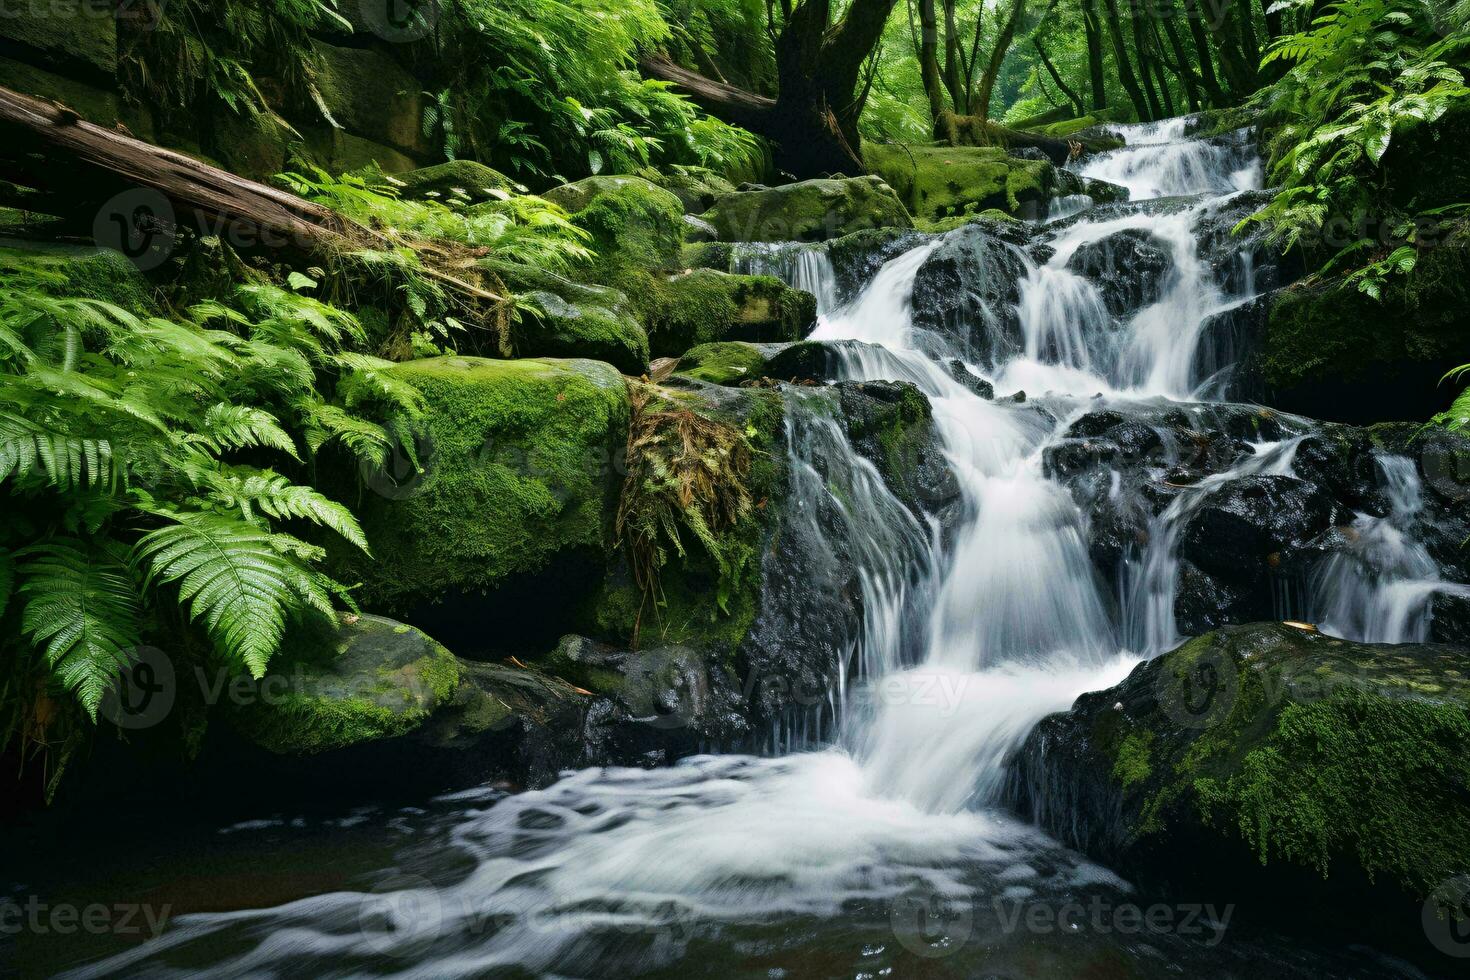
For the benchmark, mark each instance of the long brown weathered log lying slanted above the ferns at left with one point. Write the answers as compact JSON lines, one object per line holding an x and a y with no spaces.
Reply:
{"x":46,"y":146}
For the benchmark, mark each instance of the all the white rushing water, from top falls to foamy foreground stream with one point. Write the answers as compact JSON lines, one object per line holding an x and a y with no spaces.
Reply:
{"x":969,"y":640}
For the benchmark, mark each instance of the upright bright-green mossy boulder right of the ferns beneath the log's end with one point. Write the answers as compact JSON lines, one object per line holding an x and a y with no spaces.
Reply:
{"x":633,"y":224}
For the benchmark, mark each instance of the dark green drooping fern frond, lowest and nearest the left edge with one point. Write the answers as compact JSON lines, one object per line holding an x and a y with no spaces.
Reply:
{"x":82,"y":609}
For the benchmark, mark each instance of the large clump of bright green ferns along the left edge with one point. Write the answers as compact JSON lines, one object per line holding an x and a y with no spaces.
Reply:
{"x":136,"y":459}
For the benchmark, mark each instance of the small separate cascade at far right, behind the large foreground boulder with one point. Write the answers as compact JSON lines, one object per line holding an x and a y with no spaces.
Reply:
{"x":1380,"y":587}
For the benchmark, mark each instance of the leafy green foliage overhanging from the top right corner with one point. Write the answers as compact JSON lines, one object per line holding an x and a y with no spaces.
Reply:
{"x":1365,"y":73}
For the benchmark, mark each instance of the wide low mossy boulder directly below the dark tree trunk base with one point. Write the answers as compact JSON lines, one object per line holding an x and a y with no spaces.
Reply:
{"x":809,"y":211}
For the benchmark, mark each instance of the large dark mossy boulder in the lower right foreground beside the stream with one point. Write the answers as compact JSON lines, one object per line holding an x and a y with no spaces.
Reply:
{"x":1268,"y":759}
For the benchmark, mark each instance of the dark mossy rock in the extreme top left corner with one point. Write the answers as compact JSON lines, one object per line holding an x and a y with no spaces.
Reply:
{"x":77,"y":36}
